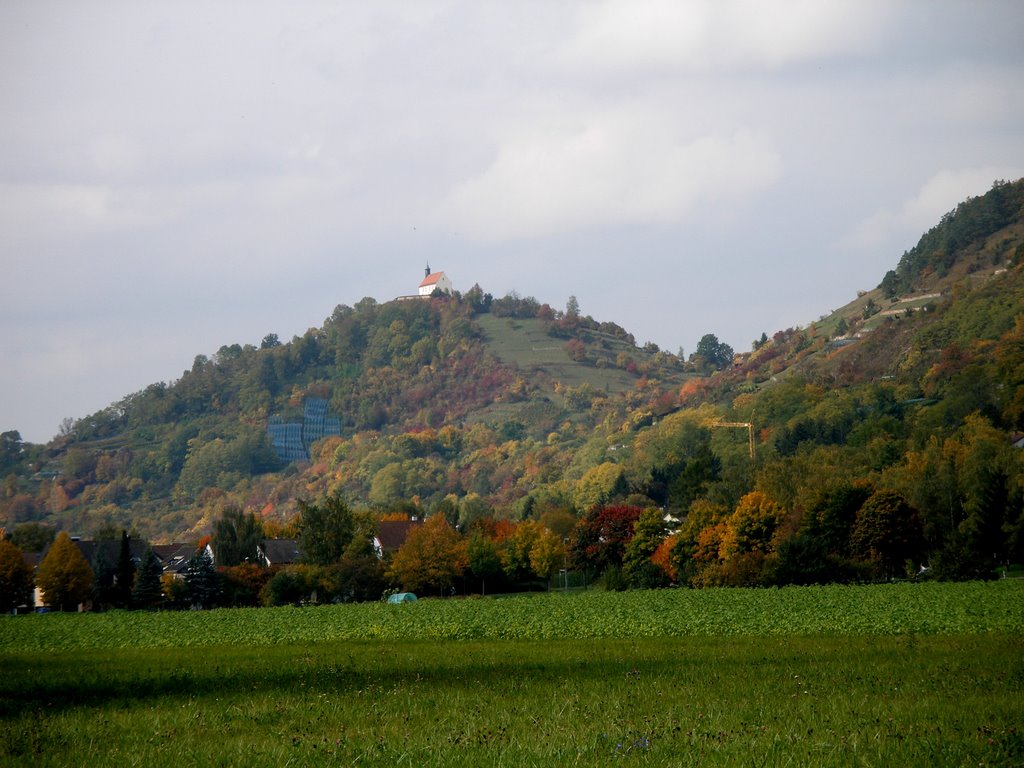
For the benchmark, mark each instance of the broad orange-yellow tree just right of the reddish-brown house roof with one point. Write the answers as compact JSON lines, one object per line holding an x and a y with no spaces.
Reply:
{"x":433,"y":558}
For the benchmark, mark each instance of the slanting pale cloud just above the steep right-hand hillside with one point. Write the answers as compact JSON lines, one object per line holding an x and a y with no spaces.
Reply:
{"x":942,"y":194}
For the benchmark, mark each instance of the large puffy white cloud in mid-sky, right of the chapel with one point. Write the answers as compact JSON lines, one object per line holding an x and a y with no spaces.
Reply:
{"x":614,"y":169}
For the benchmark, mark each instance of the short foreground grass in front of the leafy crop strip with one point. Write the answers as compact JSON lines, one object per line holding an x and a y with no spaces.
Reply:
{"x":851,"y":701}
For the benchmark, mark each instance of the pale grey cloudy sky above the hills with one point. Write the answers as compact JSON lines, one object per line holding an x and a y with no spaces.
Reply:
{"x":178,"y":177}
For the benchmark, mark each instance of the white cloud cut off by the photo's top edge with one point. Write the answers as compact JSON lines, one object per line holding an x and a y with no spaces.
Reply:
{"x":711,"y":35}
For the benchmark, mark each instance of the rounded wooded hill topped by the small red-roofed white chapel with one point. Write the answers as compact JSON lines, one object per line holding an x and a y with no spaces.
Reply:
{"x":425,"y":379}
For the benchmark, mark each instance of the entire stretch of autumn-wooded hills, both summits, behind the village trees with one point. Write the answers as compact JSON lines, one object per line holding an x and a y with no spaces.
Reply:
{"x":483,"y":408}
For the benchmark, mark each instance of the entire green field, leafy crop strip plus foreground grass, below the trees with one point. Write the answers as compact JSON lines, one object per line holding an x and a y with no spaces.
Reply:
{"x":948,"y":691}
